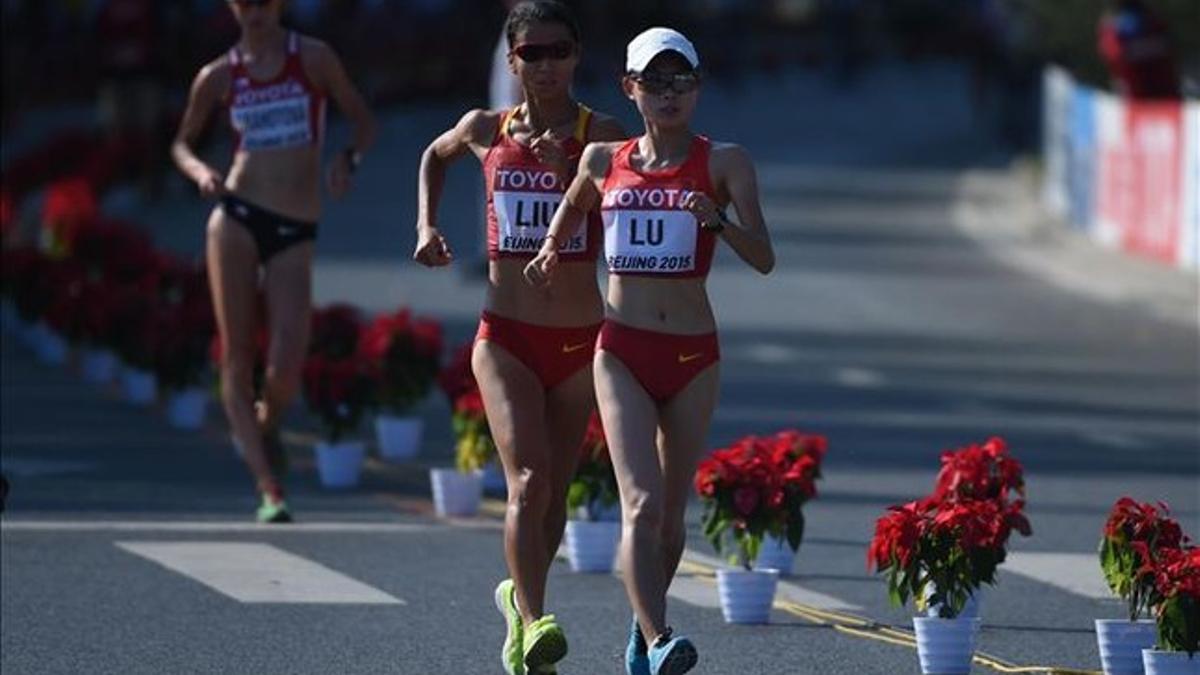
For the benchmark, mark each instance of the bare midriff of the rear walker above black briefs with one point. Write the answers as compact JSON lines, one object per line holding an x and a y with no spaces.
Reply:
{"x":285,"y":182}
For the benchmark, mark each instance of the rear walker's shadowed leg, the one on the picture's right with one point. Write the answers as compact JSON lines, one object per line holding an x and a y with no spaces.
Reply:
{"x":289,"y":291}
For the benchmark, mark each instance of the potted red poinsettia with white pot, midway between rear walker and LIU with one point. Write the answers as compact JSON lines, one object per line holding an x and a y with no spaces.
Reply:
{"x":404,"y":354}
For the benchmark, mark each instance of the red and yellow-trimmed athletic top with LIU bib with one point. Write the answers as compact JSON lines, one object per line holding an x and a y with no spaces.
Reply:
{"x":524,"y":195}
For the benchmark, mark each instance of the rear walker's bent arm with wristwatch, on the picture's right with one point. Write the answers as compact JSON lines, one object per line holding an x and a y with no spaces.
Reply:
{"x":329,"y":74}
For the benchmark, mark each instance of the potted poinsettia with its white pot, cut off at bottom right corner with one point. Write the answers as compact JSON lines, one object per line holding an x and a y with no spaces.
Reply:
{"x":1175,"y":602}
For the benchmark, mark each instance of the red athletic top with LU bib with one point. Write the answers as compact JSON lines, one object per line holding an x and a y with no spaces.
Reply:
{"x":646,"y":230}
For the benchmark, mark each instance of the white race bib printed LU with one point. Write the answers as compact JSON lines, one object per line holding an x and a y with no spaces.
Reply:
{"x":650,"y":242}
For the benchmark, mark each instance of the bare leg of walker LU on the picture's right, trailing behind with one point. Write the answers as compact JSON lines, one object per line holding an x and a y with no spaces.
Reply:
{"x":683,"y":439}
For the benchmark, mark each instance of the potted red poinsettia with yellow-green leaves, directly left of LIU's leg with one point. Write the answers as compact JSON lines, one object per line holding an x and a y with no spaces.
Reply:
{"x":458,"y":492}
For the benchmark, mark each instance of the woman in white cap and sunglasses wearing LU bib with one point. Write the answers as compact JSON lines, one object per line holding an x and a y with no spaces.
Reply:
{"x":663,"y":199}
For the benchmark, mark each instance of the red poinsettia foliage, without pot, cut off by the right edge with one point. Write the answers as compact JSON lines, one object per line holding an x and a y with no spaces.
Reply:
{"x":1174,"y":595}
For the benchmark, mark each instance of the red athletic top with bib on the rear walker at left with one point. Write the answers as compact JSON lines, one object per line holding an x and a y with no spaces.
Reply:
{"x":284,"y":112}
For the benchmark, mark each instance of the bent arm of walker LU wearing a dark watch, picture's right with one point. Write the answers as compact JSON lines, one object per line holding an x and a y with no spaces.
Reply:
{"x":733,"y":170}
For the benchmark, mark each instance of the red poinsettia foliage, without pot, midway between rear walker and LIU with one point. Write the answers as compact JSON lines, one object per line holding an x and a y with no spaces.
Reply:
{"x":404,"y":354}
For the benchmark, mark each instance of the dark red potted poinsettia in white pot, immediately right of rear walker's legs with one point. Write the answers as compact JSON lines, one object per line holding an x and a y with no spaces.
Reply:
{"x":339,"y":390}
